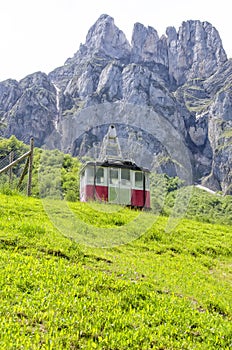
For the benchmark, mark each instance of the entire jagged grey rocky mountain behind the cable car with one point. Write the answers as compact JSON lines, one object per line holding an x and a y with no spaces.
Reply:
{"x":184,"y":78}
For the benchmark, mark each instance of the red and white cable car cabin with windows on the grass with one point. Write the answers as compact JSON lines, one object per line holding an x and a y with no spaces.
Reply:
{"x":115,"y":181}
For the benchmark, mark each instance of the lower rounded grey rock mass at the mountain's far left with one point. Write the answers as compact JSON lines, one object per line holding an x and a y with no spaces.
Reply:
{"x":30,"y":108}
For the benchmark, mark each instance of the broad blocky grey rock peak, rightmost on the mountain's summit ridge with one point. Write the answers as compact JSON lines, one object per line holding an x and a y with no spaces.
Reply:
{"x":195,"y":51}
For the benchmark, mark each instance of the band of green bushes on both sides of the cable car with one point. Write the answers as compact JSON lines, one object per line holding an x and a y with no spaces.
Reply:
{"x":56,"y":175}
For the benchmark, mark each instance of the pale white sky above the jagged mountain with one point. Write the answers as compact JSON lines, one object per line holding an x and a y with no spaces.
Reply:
{"x":39,"y":35}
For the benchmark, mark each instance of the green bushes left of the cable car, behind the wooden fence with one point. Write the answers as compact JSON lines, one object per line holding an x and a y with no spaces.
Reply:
{"x":54,"y":173}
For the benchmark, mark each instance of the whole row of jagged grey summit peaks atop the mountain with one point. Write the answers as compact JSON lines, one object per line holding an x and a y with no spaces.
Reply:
{"x":195,"y":51}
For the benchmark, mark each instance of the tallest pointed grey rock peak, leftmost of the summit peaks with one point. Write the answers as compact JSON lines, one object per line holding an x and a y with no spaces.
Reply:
{"x":105,"y":37}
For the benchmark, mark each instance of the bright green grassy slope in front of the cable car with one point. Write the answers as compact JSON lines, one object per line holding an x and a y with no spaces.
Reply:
{"x":160,"y":290}
